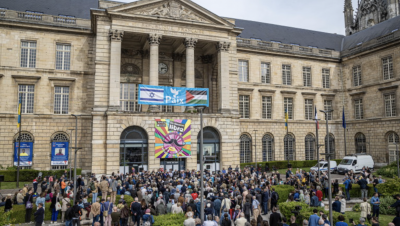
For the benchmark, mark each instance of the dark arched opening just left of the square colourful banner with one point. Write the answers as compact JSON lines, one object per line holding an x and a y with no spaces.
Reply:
{"x":134,"y":149}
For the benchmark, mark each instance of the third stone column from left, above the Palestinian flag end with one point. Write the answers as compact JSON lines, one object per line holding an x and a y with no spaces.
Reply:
{"x":190,"y":44}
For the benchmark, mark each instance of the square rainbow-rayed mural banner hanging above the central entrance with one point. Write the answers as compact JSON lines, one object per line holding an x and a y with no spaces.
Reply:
{"x":173,"y":138}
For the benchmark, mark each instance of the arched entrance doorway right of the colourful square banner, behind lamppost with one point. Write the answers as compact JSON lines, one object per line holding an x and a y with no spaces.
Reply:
{"x":211,"y":150}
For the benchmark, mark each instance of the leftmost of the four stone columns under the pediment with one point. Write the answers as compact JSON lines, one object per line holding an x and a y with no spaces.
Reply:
{"x":115,"y":68}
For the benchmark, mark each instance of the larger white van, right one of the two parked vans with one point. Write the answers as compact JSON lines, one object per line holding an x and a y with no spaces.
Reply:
{"x":355,"y":162}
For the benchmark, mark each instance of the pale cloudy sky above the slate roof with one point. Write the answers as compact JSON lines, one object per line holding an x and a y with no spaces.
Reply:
{"x":320,"y":15}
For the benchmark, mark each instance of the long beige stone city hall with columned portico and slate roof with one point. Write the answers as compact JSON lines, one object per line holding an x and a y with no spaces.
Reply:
{"x":87,"y":58}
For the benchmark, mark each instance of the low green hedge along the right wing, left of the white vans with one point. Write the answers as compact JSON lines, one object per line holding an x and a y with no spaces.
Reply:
{"x":283,"y":164}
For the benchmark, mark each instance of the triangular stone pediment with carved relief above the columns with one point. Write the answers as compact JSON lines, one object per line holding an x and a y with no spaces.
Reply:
{"x":184,"y":10}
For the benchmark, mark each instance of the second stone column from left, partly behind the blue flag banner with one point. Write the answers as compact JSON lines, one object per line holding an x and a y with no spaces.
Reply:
{"x":154,"y":41}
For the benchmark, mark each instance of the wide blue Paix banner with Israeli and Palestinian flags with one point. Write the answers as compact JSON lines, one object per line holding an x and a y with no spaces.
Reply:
{"x":173,"y":96}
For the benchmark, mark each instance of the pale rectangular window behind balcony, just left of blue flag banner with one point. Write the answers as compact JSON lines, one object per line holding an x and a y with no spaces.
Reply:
{"x":129,"y":97}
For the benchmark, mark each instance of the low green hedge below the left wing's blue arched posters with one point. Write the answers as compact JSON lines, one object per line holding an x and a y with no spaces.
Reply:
{"x":29,"y":174}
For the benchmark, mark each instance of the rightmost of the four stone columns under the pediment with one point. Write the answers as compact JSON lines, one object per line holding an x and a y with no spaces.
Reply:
{"x":223,"y":77}
